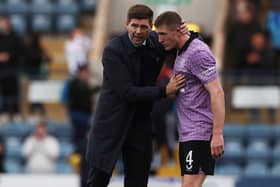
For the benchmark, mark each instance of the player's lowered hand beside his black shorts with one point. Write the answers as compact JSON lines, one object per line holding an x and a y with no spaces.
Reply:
{"x":217,"y":145}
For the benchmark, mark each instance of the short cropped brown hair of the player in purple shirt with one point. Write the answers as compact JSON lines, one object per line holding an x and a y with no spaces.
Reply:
{"x":170,"y":19}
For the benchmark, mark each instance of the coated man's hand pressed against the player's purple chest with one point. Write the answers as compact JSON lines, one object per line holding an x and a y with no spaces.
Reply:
{"x":175,"y":83}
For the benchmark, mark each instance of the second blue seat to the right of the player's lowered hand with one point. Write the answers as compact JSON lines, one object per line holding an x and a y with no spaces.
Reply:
{"x":258,"y":150}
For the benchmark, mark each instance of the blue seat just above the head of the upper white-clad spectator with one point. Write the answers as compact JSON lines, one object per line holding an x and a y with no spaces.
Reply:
{"x":66,"y":22}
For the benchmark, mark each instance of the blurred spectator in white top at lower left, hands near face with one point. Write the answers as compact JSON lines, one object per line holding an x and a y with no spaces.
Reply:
{"x":41,"y":151}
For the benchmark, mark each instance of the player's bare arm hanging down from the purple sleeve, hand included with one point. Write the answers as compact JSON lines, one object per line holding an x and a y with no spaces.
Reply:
{"x":218,"y":108}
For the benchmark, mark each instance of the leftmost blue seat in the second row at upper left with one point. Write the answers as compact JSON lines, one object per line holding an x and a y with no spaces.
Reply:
{"x":19,"y":23}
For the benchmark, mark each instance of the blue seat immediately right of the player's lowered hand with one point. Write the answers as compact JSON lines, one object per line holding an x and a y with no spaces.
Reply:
{"x":234,"y":152}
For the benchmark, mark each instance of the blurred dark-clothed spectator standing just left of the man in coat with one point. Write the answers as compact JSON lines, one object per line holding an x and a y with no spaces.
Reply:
{"x":80,"y":103}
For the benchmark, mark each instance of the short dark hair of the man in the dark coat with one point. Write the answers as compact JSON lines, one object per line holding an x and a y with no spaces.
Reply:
{"x":140,"y":12}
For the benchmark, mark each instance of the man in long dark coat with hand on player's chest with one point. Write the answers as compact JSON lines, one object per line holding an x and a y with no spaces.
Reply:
{"x":122,"y":123}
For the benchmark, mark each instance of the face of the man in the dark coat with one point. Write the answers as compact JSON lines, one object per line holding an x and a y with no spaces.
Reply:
{"x":138,"y":30}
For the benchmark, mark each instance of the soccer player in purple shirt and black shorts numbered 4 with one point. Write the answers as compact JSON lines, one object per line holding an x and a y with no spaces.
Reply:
{"x":200,"y":104}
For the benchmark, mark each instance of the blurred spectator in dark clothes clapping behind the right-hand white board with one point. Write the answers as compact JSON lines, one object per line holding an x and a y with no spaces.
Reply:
{"x":260,"y":67}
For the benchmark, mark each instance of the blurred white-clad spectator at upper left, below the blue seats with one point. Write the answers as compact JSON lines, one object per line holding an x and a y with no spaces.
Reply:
{"x":77,"y":49}
